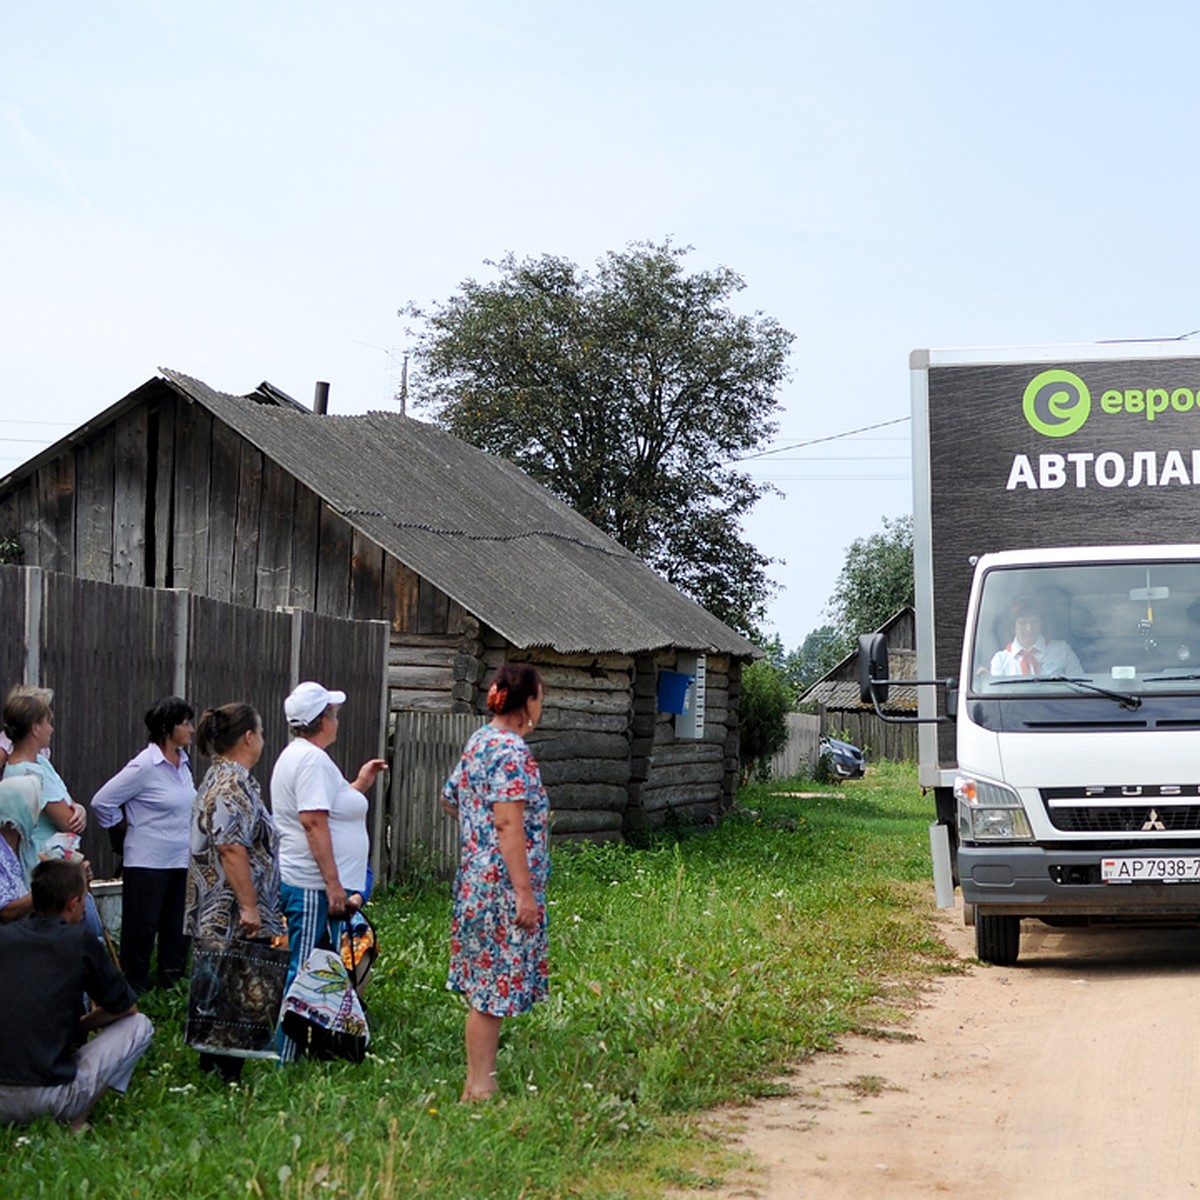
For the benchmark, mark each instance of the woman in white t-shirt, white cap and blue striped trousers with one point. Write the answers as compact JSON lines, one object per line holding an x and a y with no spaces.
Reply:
{"x":322,"y":824}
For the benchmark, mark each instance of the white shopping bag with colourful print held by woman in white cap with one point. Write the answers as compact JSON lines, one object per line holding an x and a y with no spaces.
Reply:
{"x":322,"y":1011}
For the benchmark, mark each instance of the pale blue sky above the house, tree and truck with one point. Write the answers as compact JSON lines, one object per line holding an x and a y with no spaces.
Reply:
{"x":250,"y":191}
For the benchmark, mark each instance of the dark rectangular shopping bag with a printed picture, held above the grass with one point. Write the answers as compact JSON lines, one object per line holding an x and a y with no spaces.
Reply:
{"x":235,"y":995}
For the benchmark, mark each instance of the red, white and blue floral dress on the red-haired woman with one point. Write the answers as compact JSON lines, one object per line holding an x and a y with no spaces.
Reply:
{"x":501,"y":969}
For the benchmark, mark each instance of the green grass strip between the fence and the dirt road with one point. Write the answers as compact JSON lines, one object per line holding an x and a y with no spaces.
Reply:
{"x":686,"y":975}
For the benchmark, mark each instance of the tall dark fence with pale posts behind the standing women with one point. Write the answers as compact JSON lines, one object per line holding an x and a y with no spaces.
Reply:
{"x":110,"y":652}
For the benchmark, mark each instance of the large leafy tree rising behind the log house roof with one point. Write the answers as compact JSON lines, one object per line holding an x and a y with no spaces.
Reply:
{"x":628,"y":392}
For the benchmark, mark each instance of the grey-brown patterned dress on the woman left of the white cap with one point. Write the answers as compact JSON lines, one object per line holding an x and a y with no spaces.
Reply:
{"x":229,"y":812}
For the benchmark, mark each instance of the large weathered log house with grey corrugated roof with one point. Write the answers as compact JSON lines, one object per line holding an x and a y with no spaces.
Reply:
{"x":257,"y":501}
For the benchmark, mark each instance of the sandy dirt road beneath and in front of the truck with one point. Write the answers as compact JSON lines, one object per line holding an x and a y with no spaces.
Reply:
{"x":1076,"y":1075}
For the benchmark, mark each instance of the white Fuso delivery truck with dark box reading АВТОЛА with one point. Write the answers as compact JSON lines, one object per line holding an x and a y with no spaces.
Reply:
{"x":1058,"y":585}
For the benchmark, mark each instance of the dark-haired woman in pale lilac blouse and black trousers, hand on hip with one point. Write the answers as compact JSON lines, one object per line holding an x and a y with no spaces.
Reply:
{"x":152,"y":797}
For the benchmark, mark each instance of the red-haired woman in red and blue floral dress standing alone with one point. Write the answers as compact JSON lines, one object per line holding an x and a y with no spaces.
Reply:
{"x":499,"y":931}
